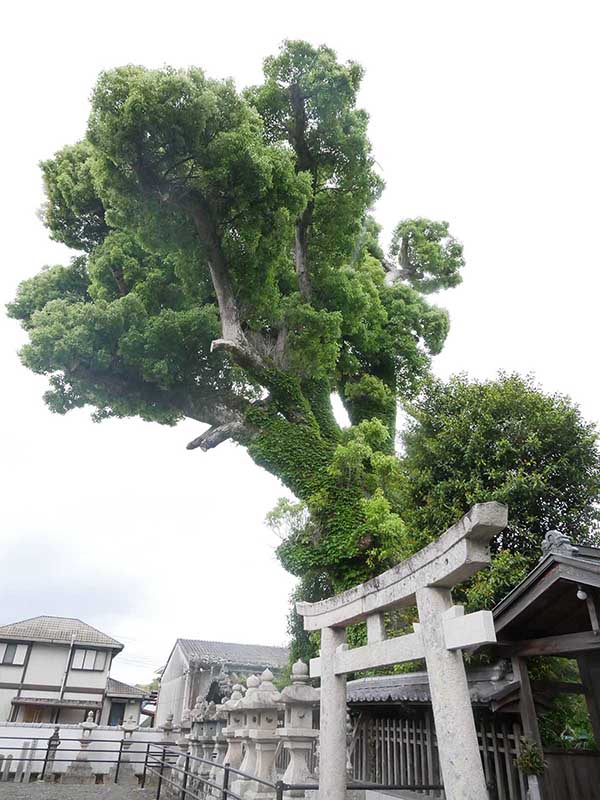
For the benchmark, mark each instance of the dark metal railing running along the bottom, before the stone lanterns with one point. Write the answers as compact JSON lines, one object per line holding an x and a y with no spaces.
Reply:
{"x":187,"y":777}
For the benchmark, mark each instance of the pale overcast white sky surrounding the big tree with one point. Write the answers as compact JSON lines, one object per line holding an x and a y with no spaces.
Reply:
{"x":483,"y":114}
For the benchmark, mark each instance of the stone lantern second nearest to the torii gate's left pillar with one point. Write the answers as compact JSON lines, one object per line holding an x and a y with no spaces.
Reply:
{"x":261,"y":707}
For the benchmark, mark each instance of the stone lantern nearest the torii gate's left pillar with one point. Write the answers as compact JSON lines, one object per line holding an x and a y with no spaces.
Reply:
{"x":298,"y":734}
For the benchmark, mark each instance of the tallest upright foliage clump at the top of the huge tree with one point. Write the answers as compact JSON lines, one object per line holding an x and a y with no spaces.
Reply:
{"x":308,"y":101}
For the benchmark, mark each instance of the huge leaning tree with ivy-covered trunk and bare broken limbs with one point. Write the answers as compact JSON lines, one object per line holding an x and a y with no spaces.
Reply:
{"x":227,"y":270}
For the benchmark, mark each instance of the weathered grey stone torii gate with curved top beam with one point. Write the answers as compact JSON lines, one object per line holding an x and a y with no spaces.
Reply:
{"x":443,"y":629}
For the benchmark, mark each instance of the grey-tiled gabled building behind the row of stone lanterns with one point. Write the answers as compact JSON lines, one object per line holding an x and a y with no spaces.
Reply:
{"x":194,"y":667}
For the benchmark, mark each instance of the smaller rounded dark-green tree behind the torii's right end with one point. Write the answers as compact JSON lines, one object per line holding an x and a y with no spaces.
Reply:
{"x":467,"y":442}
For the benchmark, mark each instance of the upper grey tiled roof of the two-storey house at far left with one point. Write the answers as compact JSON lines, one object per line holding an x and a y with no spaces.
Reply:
{"x":57,"y":629}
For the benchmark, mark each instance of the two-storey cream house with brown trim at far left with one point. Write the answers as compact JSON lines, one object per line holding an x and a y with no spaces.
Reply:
{"x":56,"y":669}
